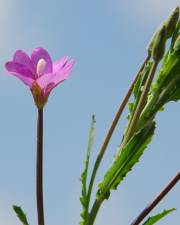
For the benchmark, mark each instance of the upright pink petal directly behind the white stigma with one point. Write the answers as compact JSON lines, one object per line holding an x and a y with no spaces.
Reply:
{"x":40,"y":53}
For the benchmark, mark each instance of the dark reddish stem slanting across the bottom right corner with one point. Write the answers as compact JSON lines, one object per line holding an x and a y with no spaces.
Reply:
{"x":163,"y":193}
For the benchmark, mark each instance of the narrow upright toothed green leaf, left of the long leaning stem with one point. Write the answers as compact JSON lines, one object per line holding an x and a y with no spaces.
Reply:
{"x":83,"y":197}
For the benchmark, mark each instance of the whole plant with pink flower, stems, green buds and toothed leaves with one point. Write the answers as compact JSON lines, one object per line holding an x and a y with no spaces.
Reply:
{"x":151,"y":92}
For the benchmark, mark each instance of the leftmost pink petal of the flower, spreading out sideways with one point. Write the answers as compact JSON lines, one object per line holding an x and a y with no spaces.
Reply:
{"x":21,"y":72}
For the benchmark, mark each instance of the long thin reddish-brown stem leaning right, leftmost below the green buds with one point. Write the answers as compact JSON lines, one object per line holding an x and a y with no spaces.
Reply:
{"x":111,"y":130}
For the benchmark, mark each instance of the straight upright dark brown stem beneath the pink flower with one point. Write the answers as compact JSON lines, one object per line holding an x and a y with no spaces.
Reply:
{"x":39,"y":168}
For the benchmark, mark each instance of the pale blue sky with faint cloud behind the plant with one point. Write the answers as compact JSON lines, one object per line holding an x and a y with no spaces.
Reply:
{"x":107,"y":38}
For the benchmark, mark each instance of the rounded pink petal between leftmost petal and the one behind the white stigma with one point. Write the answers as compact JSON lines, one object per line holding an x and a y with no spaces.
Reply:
{"x":22,"y":58}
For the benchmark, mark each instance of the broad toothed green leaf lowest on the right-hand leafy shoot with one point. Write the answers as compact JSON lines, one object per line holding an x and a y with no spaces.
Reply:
{"x":125,"y":161}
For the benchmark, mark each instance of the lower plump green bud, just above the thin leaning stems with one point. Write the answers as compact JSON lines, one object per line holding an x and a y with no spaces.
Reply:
{"x":159,"y":44}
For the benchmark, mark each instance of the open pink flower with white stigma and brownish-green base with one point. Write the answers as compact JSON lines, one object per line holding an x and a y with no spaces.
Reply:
{"x":39,"y":73}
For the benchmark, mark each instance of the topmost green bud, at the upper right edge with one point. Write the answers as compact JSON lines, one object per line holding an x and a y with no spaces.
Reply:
{"x":171,"y":22}
